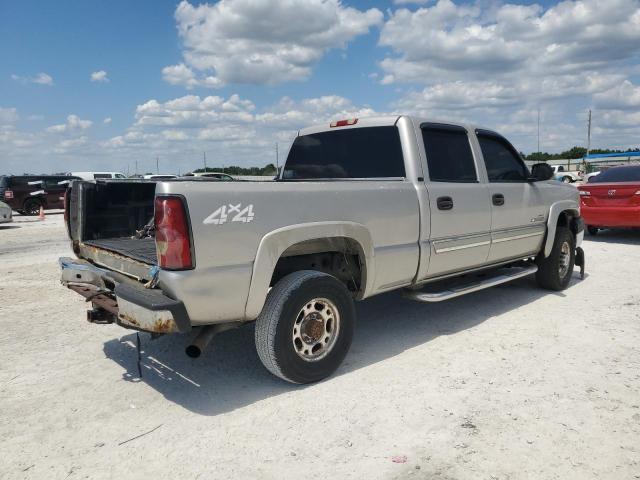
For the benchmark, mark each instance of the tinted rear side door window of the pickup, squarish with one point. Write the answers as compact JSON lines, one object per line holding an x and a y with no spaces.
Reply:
{"x":449,"y":156}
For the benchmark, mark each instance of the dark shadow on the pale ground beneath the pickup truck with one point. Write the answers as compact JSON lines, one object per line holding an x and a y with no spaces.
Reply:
{"x":230,"y":375}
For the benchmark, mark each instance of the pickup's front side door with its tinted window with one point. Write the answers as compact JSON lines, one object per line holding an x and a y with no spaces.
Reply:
{"x":518,"y":218}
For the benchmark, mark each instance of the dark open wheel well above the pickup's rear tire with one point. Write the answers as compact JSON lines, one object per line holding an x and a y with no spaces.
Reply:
{"x":338,"y":256}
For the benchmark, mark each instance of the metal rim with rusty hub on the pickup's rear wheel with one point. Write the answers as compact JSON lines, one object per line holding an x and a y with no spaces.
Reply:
{"x":316,"y":329}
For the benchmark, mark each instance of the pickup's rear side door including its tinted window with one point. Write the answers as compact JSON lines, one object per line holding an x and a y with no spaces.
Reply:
{"x":459,"y":202}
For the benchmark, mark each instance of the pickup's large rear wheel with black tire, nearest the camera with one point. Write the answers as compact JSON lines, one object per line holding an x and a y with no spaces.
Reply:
{"x":283,"y":317}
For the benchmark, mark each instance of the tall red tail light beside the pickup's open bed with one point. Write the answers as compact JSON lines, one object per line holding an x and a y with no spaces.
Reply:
{"x":173,"y":234}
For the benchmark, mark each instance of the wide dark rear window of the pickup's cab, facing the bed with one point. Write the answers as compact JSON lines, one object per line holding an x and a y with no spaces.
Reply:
{"x":371,"y":152}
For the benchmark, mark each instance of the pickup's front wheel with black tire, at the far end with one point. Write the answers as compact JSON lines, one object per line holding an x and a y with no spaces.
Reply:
{"x":551,"y":274}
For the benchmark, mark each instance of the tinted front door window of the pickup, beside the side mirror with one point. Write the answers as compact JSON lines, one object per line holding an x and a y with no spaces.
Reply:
{"x":502,"y":161}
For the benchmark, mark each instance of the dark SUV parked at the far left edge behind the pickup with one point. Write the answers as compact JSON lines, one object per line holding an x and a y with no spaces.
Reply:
{"x":27,"y":193}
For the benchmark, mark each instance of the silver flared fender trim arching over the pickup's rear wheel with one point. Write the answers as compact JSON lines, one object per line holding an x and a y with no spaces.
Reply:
{"x":276,"y":242}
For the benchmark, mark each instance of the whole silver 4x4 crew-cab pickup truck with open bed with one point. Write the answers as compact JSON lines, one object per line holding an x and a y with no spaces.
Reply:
{"x":361,"y":207}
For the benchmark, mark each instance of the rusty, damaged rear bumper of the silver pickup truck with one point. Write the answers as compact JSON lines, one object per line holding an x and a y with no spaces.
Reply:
{"x":129,"y":302}
